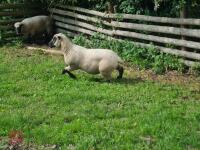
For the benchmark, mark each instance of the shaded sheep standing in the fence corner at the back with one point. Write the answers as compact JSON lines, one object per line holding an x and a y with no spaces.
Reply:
{"x":36,"y":26}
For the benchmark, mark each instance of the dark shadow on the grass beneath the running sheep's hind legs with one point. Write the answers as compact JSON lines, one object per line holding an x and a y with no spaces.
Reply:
{"x":126,"y":81}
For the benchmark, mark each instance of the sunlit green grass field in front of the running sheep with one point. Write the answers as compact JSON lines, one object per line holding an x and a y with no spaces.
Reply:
{"x":138,"y":112}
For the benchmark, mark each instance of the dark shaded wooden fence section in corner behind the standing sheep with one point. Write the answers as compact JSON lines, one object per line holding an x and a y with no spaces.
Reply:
{"x":11,"y":13}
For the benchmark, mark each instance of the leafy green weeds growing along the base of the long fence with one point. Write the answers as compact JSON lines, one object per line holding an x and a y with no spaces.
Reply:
{"x":145,"y":58}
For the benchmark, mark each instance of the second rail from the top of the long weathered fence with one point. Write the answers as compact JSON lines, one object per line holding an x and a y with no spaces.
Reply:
{"x":140,"y":27}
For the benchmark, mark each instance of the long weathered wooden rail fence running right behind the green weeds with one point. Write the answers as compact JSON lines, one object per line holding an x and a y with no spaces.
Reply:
{"x":165,"y":33}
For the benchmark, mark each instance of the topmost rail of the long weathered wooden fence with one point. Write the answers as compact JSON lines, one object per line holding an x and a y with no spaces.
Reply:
{"x":178,"y":21}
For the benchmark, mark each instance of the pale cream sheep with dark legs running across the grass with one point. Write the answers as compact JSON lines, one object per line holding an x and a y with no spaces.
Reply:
{"x":92,"y":61}
